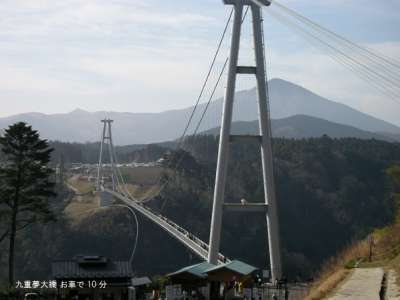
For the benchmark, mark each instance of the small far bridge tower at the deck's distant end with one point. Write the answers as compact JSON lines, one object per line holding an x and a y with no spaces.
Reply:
{"x":106,"y":136}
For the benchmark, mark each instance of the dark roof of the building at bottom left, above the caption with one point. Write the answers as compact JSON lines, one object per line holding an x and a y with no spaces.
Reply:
{"x":89,"y":267}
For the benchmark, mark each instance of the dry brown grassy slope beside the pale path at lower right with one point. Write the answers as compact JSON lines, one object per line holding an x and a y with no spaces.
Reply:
{"x":380,"y":250}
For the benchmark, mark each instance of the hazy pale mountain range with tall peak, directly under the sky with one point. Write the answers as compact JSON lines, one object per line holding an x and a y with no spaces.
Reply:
{"x":287,"y":99}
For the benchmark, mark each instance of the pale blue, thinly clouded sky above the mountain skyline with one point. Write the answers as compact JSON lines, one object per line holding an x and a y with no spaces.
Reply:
{"x":141,"y":56}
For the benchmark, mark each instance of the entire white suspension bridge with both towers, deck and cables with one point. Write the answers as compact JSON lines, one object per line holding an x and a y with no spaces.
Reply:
{"x":381,"y":71}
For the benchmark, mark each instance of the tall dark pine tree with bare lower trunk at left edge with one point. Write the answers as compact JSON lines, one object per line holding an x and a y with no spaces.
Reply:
{"x":25,"y":184}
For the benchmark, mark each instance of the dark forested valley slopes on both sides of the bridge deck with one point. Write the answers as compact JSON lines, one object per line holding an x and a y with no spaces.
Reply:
{"x":330,"y":192}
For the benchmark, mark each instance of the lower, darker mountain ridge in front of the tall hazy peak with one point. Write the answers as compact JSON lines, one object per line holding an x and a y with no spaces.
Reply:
{"x":301,"y":126}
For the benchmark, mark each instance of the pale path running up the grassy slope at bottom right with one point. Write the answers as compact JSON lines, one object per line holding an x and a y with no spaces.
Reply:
{"x":363,"y":284}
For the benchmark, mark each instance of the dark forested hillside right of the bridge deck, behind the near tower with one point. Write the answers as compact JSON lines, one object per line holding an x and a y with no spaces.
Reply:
{"x":329,"y":193}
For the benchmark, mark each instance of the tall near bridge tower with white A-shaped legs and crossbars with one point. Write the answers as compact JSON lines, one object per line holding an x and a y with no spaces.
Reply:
{"x":264,"y":137}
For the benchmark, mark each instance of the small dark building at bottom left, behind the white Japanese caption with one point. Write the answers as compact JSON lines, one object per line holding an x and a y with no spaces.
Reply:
{"x":93,"y":278}
